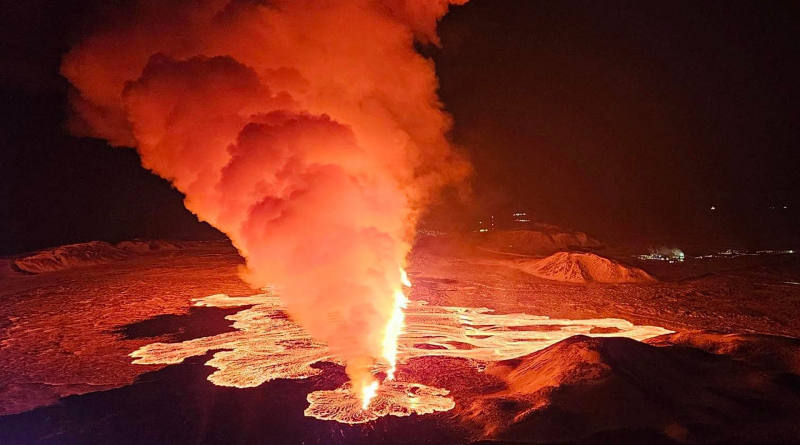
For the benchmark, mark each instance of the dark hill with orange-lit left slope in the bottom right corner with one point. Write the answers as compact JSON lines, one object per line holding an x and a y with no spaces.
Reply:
{"x":583,"y":386}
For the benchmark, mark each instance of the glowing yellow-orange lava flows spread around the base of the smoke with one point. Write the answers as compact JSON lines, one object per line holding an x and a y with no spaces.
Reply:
{"x":268,"y":345}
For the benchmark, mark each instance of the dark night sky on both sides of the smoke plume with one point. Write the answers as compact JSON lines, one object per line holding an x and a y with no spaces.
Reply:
{"x":627,"y":120}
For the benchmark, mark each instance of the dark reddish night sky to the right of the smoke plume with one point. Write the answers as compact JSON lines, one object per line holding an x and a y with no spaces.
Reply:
{"x":631,"y":119}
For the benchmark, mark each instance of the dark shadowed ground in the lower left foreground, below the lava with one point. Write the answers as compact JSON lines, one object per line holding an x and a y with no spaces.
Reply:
{"x":177,"y":405}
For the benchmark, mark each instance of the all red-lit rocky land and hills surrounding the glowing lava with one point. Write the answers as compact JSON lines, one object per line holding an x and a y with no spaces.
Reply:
{"x":730,"y":373}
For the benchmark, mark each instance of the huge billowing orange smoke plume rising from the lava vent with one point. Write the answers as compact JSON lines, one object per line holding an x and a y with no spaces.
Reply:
{"x":309,"y":131}
